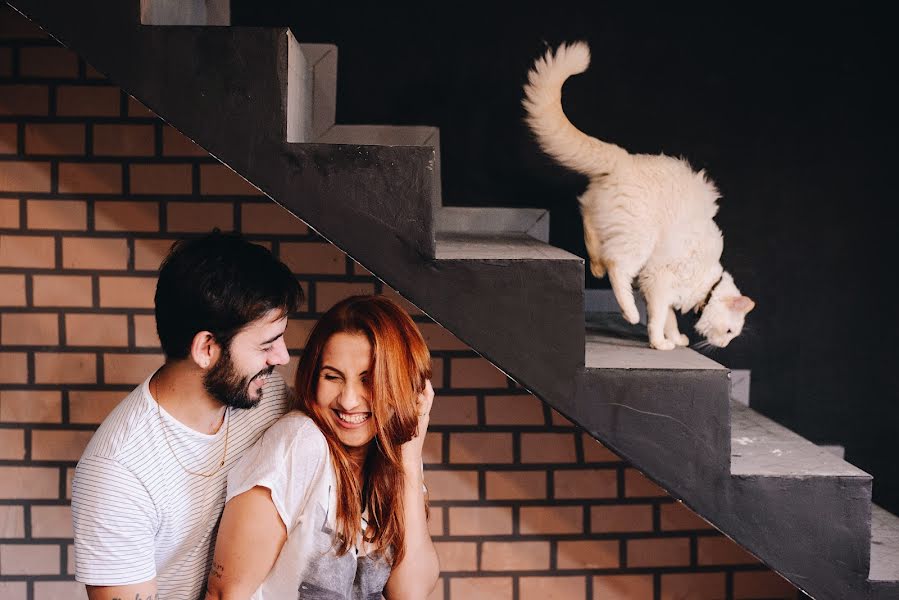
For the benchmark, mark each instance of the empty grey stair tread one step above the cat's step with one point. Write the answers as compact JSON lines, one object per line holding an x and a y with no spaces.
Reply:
{"x":492,"y":246}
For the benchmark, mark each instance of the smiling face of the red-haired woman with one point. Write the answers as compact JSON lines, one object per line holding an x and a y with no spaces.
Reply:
{"x":344,"y":388}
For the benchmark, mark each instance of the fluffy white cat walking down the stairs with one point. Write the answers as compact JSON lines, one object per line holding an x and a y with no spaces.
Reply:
{"x":645,"y":216}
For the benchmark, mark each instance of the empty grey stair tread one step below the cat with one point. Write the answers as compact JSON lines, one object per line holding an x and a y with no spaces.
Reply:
{"x":761,"y":447}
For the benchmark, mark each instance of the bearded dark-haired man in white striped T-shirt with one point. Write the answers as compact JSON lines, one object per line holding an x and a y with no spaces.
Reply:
{"x":150,"y":487}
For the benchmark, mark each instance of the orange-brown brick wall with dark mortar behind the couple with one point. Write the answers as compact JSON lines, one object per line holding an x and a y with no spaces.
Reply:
{"x":93,"y":189}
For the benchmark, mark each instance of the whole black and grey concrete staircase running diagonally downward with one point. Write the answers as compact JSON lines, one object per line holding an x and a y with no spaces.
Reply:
{"x":264,"y":105}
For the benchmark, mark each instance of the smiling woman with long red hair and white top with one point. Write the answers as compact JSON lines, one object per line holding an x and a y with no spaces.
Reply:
{"x":330,"y":502}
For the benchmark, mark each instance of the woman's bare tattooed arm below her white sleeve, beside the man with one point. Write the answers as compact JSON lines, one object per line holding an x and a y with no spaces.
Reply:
{"x":250,"y":538}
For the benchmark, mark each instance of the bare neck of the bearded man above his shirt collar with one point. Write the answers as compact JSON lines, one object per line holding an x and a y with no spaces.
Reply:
{"x":178,"y":388}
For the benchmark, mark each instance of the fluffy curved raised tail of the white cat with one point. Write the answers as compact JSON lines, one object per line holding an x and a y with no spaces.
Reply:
{"x":555,"y":133}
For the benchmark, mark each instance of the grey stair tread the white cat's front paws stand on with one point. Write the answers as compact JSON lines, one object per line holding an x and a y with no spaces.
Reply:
{"x":613,"y":343}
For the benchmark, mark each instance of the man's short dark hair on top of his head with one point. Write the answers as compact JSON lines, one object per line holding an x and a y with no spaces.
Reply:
{"x":219,"y":283}
